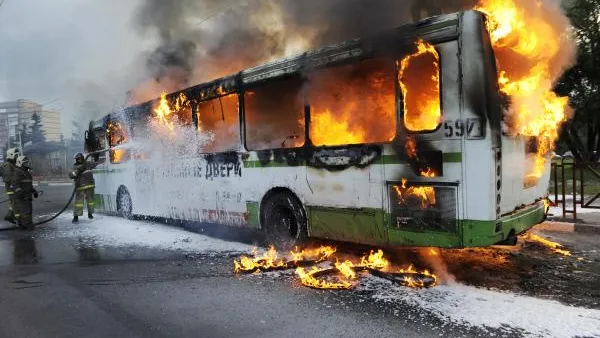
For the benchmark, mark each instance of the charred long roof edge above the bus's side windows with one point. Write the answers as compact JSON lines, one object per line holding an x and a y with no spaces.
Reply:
{"x":434,"y":30}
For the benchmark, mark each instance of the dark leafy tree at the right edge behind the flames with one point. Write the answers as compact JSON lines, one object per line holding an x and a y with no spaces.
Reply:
{"x":582,"y":82}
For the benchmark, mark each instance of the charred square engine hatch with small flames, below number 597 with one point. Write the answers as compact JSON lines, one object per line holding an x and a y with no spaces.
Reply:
{"x":409,"y":213}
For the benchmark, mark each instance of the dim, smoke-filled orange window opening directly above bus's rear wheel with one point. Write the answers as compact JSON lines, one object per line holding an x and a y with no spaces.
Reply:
{"x":274,"y":115}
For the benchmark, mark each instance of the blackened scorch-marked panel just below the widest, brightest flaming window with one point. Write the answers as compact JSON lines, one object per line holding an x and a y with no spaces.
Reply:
{"x":340,"y":158}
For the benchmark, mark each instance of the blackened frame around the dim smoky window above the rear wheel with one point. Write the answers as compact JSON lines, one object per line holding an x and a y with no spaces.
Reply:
{"x":242,"y":108}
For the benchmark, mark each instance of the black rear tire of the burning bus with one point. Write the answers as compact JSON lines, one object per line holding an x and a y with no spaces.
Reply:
{"x":284,"y":221}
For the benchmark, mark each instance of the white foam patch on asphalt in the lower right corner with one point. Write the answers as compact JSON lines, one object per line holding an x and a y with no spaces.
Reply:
{"x":476,"y":307}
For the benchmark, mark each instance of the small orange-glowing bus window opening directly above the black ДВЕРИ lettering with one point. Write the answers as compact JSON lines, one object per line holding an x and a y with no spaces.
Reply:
{"x":220,"y":117}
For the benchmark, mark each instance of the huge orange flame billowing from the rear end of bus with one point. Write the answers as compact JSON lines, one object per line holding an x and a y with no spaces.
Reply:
{"x":528,"y":46}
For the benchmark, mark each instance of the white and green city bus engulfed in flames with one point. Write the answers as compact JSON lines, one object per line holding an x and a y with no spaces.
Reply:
{"x":394,"y":139}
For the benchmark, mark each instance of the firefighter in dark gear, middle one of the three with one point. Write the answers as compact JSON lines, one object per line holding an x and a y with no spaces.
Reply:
{"x":23,"y":189}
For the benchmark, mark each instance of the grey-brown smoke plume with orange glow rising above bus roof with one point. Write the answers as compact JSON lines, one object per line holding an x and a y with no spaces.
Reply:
{"x":203,"y":40}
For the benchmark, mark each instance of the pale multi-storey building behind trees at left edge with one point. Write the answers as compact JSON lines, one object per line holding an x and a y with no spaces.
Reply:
{"x":17,"y":115}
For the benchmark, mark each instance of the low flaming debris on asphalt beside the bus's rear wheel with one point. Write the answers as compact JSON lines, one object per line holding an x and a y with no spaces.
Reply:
{"x":339,"y":275}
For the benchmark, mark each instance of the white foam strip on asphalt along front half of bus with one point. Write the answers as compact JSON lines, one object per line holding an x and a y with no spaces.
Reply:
{"x":118,"y":232}
